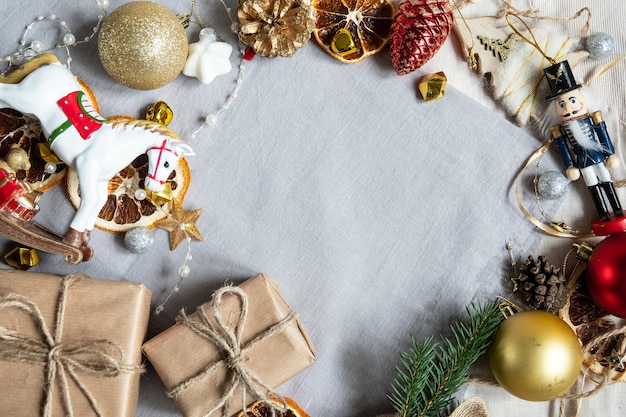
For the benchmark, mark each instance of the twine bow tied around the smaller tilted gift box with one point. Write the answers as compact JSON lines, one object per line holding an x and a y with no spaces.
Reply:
{"x":228,"y":342}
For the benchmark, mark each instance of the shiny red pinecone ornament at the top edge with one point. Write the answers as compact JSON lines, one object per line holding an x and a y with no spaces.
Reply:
{"x":419,"y":29}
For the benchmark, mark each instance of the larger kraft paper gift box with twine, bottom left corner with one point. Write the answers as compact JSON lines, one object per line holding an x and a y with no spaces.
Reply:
{"x":49,"y":323}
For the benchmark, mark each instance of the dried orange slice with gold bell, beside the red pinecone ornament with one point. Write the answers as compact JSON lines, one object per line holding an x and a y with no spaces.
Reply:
{"x":351,"y":30}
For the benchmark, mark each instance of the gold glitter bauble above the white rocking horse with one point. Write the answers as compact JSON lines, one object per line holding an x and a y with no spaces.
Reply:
{"x":142,"y":45}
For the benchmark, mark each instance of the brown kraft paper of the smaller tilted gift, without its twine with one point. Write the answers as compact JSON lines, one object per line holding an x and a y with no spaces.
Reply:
{"x":178,"y":354}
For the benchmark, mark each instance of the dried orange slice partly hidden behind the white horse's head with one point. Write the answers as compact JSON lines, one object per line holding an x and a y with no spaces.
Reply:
{"x":123,"y":211}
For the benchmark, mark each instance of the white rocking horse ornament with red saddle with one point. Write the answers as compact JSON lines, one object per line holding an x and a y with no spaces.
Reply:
{"x":82,"y":139}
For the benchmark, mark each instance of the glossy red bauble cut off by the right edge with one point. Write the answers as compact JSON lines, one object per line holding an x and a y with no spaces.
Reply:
{"x":606,"y":274}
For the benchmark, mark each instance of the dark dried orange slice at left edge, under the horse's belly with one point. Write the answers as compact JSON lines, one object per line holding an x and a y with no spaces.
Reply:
{"x":25,"y":132}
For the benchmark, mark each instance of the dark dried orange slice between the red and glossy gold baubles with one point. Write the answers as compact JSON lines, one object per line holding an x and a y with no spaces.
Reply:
{"x":590,"y":321}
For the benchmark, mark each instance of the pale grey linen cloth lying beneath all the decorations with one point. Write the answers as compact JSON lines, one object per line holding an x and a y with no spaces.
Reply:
{"x":380,"y":216}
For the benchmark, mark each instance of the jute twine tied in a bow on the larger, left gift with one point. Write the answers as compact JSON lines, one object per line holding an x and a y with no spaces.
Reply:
{"x":98,"y":357}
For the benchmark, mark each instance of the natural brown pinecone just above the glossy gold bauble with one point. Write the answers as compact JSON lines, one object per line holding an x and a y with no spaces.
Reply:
{"x":541,"y":284}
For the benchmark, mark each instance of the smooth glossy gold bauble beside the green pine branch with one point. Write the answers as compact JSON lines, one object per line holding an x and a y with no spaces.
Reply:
{"x":535,"y":356}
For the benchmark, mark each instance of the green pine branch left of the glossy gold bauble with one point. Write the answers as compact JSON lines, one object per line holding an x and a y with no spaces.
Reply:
{"x":431,"y":373}
